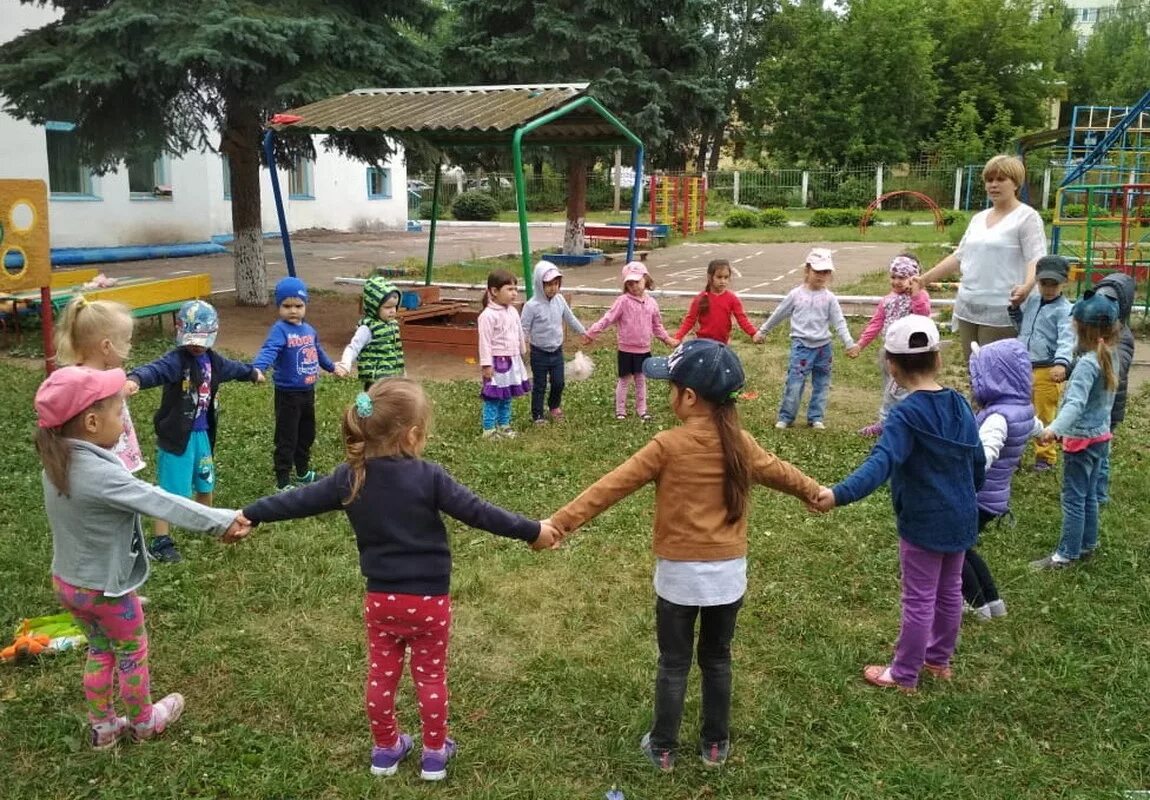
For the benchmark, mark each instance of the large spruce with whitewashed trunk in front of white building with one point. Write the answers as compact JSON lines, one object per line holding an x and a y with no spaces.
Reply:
{"x":140,"y":78}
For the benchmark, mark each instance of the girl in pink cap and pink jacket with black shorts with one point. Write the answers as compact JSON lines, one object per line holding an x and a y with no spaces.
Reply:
{"x":639,"y":320}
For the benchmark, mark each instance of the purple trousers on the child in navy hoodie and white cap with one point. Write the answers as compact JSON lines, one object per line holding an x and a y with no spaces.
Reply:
{"x":932,"y":611}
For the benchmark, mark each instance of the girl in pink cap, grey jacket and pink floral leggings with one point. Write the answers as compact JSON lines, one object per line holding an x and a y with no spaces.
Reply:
{"x":98,"y":555}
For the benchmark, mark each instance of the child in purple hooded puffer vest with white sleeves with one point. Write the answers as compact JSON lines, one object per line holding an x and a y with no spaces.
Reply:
{"x":1002,"y":384}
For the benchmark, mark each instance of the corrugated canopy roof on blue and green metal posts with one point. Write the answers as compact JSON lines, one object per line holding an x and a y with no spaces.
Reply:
{"x":459,"y":116}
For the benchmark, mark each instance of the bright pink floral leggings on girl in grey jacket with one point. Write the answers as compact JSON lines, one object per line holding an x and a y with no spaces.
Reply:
{"x":117,"y":643}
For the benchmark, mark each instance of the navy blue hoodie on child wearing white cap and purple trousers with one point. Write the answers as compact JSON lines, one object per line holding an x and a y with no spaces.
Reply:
{"x":931,"y":452}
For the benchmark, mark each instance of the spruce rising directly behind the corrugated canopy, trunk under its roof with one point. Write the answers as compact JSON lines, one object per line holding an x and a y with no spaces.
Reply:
{"x":646,"y":61}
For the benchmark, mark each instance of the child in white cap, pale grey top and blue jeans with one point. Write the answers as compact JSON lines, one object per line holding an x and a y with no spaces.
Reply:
{"x":814,"y":312}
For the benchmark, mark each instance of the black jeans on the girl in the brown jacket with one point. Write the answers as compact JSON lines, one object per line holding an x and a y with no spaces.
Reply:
{"x":676,"y":629}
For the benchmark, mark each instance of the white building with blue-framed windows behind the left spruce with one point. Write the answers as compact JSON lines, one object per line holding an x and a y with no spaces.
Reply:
{"x":182,"y":199}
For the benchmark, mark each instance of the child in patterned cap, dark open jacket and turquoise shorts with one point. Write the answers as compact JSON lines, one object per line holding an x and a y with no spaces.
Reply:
{"x":186,"y":424}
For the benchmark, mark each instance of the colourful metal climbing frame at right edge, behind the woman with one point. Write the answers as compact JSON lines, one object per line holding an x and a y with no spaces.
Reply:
{"x":1102,"y":214}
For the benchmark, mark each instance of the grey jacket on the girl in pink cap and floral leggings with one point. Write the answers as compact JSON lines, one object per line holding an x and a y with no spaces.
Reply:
{"x":97,"y":537}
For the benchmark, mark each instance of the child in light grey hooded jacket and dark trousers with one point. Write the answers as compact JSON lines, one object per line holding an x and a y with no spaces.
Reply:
{"x":545,"y":317}
